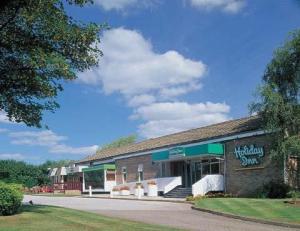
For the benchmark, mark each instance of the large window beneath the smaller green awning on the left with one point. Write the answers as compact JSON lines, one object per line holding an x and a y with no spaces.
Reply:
{"x":95,"y":179}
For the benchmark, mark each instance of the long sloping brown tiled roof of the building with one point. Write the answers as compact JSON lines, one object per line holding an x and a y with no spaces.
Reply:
{"x":223,"y":129}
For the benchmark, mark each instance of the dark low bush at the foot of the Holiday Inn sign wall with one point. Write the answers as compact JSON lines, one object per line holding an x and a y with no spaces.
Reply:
{"x":275,"y":189}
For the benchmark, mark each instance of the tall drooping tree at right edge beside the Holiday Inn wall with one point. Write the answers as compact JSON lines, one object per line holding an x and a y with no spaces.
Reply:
{"x":279,"y":99}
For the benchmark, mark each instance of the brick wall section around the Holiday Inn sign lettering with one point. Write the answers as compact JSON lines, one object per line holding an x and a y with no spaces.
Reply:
{"x":245,"y":181}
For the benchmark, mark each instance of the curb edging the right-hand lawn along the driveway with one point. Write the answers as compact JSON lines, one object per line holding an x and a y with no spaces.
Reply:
{"x":286,"y":225}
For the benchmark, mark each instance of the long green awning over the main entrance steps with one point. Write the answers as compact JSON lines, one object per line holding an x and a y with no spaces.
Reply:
{"x":191,"y":151}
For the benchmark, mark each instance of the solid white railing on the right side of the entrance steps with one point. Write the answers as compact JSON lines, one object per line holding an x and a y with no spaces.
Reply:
{"x":209,"y":183}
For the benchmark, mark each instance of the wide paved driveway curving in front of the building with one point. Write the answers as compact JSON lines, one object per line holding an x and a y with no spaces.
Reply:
{"x":164,"y":213}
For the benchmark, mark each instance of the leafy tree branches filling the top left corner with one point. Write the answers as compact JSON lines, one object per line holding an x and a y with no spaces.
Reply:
{"x":41,"y":47}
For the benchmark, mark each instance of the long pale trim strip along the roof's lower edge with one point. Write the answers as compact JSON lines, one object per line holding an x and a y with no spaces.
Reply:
{"x":238,"y":136}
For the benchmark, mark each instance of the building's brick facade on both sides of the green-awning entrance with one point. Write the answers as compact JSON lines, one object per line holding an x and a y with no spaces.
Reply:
{"x":242,"y":181}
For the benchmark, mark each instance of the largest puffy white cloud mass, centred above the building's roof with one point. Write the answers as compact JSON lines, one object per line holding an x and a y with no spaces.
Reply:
{"x":151,"y":83}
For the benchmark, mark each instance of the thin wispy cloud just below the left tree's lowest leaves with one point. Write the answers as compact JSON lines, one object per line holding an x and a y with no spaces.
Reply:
{"x":40,"y":138}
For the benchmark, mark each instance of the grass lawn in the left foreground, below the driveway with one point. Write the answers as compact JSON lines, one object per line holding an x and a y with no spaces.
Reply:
{"x":55,"y":218}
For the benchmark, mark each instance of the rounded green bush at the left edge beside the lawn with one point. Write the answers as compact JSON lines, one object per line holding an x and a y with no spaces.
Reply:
{"x":11,"y":197}
